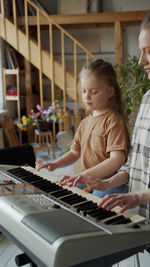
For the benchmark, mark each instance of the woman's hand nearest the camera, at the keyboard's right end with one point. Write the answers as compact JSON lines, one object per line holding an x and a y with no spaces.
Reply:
{"x":126,"y":201}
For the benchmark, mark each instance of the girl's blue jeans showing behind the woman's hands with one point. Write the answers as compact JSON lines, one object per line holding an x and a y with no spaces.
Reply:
{"x":118,"y":189}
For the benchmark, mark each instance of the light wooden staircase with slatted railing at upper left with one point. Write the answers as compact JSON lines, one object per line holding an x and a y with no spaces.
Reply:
{"x":21,"y":40}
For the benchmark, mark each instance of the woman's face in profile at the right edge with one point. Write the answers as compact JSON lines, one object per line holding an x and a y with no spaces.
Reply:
{"x":144,"y":46}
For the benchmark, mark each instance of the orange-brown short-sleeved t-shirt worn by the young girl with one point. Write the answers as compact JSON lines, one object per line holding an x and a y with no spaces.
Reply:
{"x":97,"y":136}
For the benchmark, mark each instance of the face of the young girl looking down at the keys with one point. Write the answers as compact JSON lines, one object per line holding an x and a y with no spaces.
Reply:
{"x":95,"y":93}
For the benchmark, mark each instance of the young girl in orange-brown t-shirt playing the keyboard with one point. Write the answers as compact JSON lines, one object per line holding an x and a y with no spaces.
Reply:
{"x":102,"y":139}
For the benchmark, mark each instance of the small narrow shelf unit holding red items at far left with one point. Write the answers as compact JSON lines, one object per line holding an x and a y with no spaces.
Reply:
{"x":12,"y":88}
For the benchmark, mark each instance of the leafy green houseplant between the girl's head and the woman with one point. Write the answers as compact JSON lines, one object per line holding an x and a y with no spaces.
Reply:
{"x":134,"y":84}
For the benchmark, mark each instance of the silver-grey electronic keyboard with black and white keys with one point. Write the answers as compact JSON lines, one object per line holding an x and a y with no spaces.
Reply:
{"x":57,"y":226}
